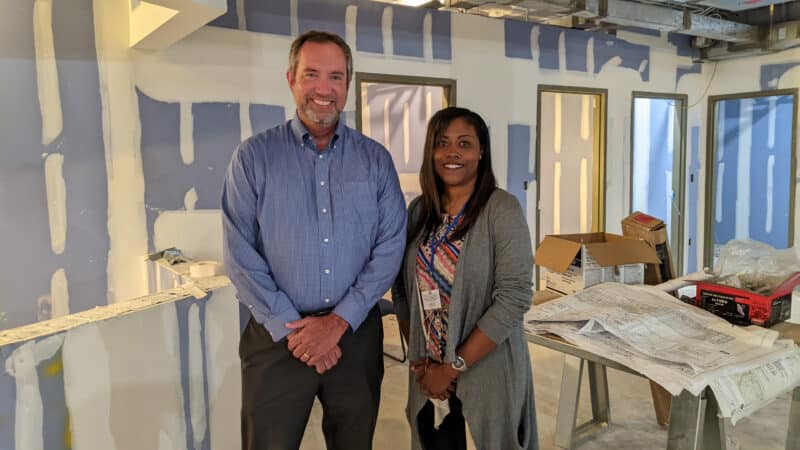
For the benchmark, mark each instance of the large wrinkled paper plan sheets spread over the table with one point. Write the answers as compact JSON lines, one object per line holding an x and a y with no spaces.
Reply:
{"x":678,"y":346}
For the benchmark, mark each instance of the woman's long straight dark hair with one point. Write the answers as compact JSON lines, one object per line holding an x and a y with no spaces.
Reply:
{"x":432,"y":186}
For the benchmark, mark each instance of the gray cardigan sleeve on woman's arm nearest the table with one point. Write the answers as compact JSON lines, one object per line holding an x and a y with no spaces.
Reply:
{"x":513,"y":271}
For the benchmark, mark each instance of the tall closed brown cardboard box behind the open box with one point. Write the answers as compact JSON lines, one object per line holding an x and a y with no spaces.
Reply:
{"x":653,"y":231}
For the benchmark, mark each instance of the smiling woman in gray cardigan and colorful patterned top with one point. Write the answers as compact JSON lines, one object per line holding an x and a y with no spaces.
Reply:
{"x":462,"y":292}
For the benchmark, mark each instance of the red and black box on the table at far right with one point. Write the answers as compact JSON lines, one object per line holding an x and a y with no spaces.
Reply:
{"x":743,"y":307}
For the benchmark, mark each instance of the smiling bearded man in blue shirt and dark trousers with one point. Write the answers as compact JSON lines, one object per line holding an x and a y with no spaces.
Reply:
{"x":314,"y":223}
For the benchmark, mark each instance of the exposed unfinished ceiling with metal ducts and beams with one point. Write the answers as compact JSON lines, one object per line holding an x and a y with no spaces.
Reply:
{"x":721,"y":29}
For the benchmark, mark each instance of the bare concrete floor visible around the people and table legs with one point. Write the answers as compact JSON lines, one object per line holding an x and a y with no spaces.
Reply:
{"x":633,"y":420}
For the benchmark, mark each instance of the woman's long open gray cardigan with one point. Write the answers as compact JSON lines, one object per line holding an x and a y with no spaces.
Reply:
{"x":492,"y":290}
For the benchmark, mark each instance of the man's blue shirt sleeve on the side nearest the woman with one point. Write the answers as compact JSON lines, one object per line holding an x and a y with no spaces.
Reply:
{"x":379,"y":272}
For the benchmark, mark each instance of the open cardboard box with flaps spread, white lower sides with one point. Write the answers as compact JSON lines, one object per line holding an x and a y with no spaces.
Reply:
{"x":573,"y":262}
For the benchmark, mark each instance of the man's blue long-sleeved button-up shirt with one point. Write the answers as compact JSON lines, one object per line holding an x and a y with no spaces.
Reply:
{"x":308,"y":229}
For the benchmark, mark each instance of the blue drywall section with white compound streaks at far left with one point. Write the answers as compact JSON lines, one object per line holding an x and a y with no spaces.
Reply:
{"x":52,"y":164}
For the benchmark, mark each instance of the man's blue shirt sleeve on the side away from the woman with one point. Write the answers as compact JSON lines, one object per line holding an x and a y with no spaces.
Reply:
{"x":248,"y":269}
